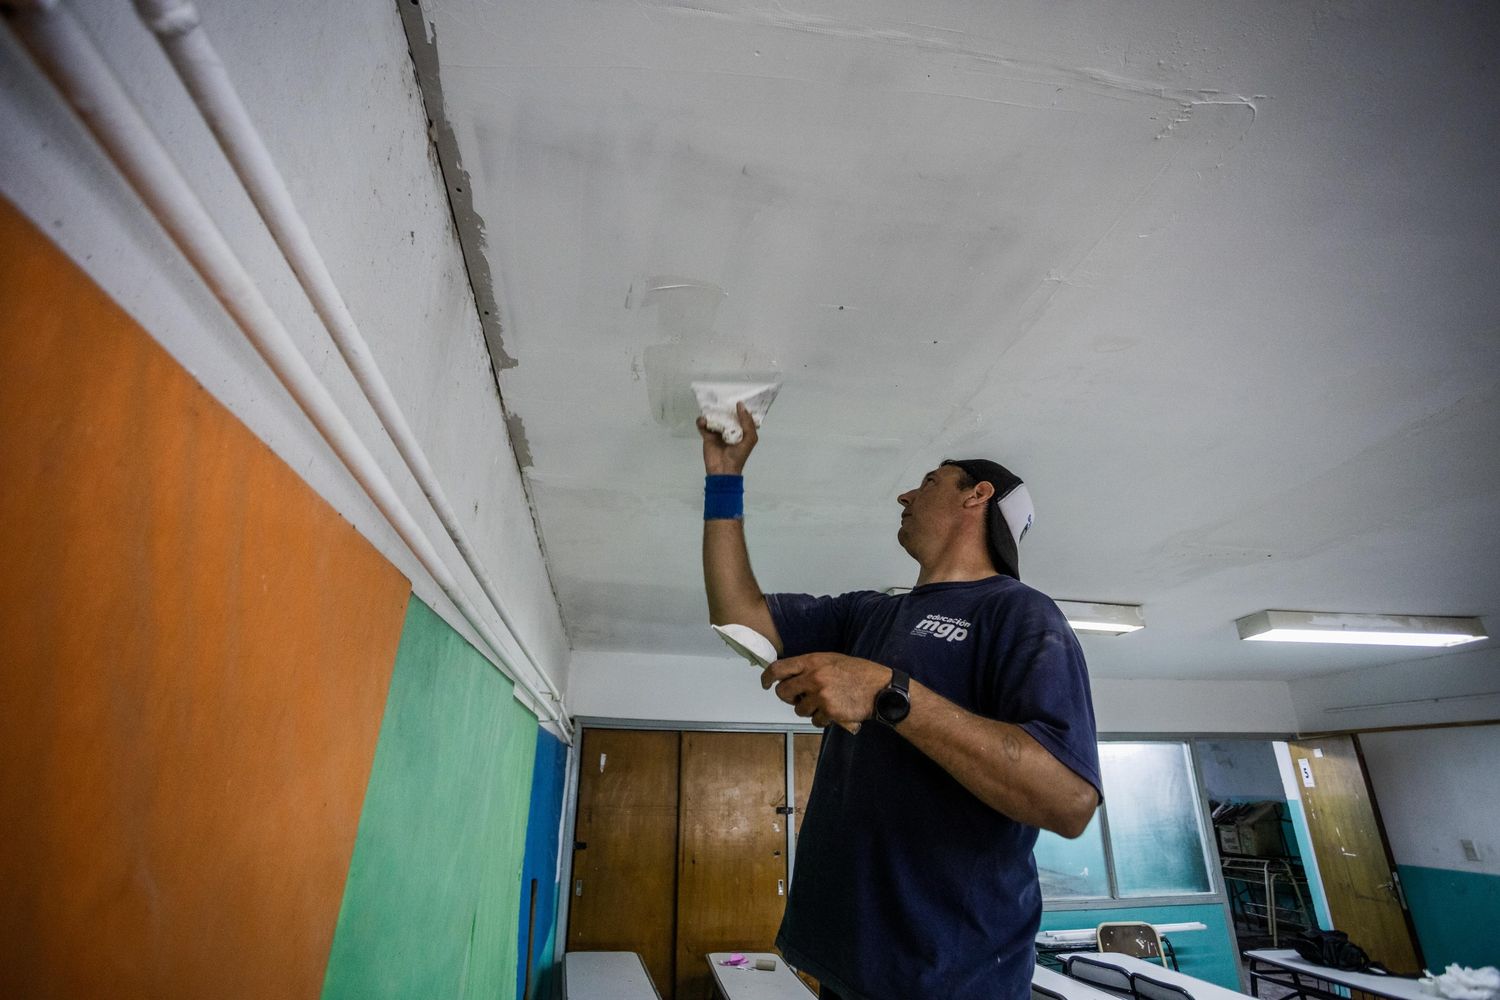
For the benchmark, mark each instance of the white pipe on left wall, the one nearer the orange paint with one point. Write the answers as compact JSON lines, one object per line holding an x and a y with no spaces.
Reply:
{"x":65,"y":53}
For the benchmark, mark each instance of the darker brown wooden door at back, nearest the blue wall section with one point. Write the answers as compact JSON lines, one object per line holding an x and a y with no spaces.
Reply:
{"x":625,"y":852}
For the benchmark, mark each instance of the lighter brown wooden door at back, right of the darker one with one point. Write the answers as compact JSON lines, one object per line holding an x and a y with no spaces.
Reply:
{"x":733,"y":845}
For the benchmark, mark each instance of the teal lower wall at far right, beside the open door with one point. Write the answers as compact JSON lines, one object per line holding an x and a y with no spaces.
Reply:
{"x":1456,"y":915}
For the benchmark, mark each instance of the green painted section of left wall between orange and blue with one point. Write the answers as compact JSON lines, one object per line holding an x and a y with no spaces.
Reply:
{"x":433,"y":897}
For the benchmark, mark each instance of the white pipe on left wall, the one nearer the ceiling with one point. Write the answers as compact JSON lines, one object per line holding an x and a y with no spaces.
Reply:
{"x":179,"y":29}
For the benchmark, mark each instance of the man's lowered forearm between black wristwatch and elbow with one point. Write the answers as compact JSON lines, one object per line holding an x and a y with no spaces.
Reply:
{"x":1001,"y":764}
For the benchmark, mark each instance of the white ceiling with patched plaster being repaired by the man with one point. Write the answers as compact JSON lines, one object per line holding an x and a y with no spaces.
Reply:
{"x":1220,"y":281}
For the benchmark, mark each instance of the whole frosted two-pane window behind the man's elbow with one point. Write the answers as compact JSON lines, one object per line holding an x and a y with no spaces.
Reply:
{"x":1147,"y":840}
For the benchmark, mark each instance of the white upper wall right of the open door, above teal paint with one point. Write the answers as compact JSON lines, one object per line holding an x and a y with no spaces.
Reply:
{"x":1438,"y":788}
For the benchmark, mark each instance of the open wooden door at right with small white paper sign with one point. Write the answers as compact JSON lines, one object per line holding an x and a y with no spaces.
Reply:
{"x":1352,"y":854}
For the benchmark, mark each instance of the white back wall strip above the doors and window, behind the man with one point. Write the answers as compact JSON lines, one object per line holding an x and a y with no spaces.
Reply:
{"x":634,"y":686}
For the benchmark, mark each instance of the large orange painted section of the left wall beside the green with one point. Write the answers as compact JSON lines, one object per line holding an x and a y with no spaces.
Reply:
{"x":194,"y":660}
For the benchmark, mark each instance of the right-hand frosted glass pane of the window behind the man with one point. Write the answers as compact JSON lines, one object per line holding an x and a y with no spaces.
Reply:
{"x":1153,"y":803}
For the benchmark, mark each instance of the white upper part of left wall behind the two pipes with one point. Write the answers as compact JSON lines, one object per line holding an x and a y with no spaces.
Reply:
{"x":331,"y":86}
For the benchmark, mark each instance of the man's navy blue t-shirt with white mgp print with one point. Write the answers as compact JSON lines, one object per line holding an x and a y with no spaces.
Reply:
{"x":907,"y":885}
